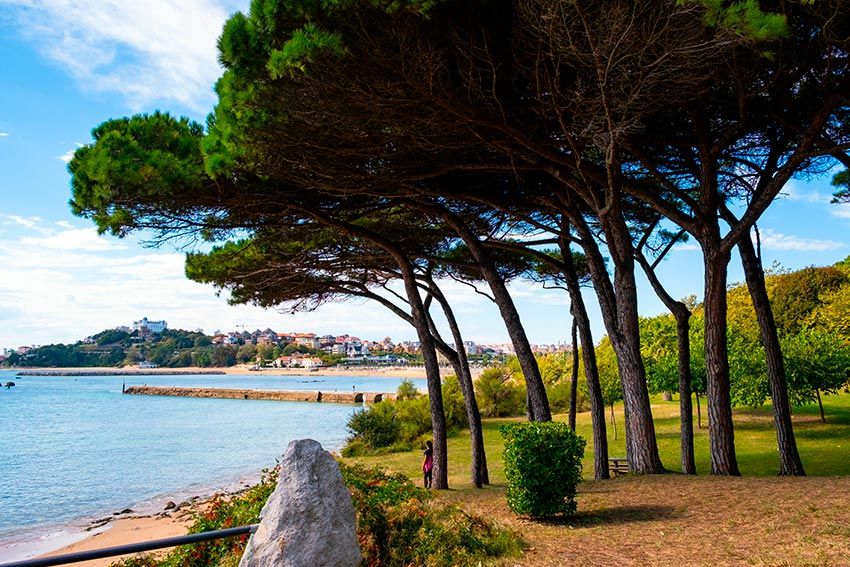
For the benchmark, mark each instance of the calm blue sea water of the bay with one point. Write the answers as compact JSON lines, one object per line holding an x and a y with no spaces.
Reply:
{"x":74,"y":448}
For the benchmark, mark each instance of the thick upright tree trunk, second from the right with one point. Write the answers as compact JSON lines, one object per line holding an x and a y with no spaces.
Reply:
{"x":721,"y":433}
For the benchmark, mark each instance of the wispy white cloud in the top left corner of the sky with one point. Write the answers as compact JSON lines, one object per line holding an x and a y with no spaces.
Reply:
{"x":158,"y":50}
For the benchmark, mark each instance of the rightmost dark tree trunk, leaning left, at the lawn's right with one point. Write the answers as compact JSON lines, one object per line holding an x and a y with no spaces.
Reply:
{"x":790,"y":463}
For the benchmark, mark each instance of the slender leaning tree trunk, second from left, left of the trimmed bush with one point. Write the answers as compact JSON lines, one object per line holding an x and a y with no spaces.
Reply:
{"x":479,"y":473}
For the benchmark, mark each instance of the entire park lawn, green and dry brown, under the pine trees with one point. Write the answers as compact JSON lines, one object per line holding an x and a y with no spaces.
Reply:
{"x":673,"y":519}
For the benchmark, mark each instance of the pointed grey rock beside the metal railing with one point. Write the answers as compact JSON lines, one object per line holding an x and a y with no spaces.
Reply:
{"x":309,"y":518}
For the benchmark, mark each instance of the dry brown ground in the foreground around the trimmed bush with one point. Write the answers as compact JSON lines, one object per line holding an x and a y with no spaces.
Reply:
{"x":675,"y":520}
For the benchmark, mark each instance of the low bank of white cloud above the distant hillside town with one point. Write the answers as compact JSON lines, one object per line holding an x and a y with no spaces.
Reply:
{"x":59,"y":284}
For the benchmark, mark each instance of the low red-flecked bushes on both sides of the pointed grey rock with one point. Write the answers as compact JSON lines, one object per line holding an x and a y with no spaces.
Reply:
{"x":397,"y":525}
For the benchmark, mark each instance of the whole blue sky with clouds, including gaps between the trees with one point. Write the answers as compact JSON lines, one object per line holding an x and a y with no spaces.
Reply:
{"x":68,"y":65}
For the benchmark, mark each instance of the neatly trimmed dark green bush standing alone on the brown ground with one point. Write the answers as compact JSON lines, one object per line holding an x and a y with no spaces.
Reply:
{"x":542,"y":467}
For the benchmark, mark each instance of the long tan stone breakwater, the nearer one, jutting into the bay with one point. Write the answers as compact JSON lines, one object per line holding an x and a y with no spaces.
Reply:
{"x":251,"y":394}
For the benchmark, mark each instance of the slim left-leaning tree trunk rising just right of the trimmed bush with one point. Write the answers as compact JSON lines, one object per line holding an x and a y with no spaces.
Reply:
{"x":581,"y":323}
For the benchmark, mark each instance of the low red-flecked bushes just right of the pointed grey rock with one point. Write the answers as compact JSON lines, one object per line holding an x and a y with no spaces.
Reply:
{"x":399,"y":525}
